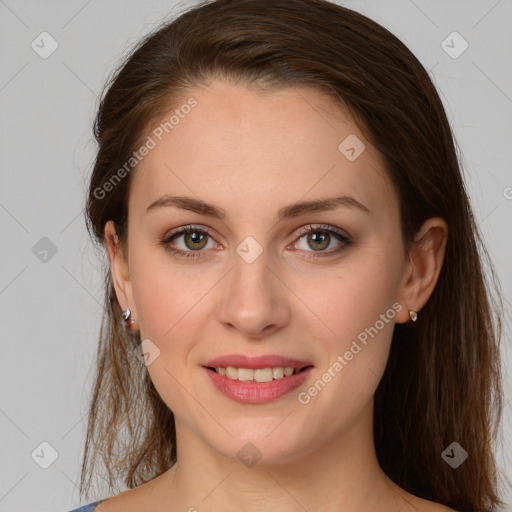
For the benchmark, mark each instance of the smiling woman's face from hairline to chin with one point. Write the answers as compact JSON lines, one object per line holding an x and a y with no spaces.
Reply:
{"x":256,"y":284}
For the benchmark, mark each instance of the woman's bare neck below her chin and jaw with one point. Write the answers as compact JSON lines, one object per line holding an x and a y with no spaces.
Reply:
{"x":338,"y":474}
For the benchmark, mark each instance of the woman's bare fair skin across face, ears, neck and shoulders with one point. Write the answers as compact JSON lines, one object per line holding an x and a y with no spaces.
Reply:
{"x":252,"y":153}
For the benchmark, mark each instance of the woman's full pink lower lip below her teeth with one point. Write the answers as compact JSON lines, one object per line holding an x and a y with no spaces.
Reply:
{"x":257,"y":392}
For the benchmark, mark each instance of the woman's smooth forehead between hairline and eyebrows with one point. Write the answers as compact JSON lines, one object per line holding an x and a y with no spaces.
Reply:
{"x":246,"y":149}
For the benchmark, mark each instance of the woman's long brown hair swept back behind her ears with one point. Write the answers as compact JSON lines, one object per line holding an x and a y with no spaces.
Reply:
{"x":443,"y":379}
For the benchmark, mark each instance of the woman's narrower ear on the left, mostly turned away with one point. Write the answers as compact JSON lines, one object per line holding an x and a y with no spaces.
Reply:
{"x":119,"y":268}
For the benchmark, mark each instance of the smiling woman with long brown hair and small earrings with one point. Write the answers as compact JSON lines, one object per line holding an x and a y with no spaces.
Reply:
{"x":298,"y":316}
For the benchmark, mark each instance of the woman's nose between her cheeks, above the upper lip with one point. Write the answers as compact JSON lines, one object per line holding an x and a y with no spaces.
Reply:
{"x":252,"y":299}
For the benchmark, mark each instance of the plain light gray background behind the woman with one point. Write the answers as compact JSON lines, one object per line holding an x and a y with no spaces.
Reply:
{"x":51,"y":309}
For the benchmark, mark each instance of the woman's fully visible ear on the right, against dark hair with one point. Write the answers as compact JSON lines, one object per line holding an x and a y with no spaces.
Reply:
{"x":423,"y":268}
